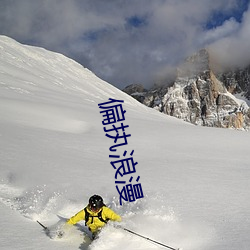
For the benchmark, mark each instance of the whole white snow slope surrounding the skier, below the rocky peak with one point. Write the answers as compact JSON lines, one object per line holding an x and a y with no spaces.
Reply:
{"x":54,"y":155}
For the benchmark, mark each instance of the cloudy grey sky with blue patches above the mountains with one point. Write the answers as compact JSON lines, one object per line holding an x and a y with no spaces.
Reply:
{"x":132,"y":41}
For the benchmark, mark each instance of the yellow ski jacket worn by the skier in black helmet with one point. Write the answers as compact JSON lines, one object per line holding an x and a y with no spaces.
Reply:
{"x":94,"y":223}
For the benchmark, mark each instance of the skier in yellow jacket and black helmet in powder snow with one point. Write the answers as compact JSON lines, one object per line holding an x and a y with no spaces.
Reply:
{"x":95,"y":214}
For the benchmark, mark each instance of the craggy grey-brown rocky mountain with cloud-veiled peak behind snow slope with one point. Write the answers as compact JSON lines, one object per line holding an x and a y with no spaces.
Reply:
{"x":199,"y":97}
